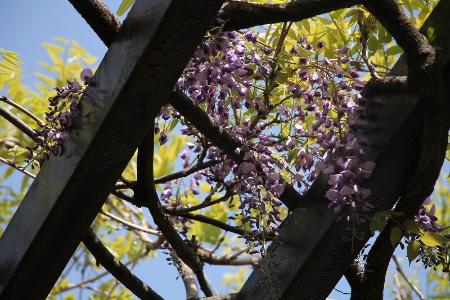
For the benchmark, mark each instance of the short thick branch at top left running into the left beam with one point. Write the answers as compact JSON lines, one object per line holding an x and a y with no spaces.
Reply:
{"x":98,"y":16}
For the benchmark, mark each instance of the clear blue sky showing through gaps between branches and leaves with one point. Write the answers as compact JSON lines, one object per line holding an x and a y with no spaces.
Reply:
{"x":25,"y":26}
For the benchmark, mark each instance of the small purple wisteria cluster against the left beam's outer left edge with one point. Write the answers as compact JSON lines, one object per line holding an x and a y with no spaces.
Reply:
{"x":62,"y":109}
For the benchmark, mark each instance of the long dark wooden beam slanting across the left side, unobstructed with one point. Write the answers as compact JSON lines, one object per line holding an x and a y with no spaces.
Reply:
{"x":134,"y":79}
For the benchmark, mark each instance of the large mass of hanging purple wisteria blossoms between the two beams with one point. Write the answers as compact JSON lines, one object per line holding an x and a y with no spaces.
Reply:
{"x":288,"y":131}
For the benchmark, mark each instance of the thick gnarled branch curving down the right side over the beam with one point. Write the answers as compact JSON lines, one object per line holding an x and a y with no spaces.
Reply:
{"x":427,"y":75}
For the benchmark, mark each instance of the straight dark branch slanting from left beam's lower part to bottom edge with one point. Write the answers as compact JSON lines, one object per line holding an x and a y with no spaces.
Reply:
{"x":117,"y":269}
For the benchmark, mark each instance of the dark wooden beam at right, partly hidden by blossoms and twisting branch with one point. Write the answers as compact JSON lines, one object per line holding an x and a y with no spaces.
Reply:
{"x":311,"y":255}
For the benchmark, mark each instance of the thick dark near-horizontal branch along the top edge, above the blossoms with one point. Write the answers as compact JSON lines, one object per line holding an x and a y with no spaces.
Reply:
{"x":239,"y":14}
